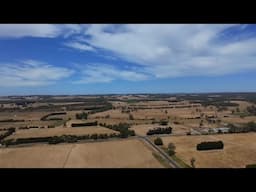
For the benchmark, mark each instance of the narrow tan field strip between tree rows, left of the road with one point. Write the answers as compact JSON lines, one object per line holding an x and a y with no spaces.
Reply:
{"x":48,"y":132}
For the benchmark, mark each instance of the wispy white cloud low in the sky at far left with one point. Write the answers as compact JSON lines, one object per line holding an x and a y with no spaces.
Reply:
{"x":31,"y":73}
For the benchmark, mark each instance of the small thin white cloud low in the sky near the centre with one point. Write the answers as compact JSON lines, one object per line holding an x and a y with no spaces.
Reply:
{"x":103,"y":73}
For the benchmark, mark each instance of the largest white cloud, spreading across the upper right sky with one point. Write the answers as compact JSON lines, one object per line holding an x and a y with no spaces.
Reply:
{"x":171,"y":50}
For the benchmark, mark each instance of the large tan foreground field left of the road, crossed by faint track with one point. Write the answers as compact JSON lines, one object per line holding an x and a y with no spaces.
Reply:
{"x":130,"y":153}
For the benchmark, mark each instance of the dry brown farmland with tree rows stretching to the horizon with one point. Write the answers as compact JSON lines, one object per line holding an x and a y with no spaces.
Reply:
{"x":88,"y":121}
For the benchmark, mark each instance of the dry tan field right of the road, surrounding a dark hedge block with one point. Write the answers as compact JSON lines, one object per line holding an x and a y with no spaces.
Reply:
{"x":239,"y":150}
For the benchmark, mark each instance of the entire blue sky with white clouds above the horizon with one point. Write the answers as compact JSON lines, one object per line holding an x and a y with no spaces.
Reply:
{"x":138,"y":58}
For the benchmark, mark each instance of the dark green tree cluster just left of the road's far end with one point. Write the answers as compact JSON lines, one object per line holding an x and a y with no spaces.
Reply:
{"x":123,"y":128}
